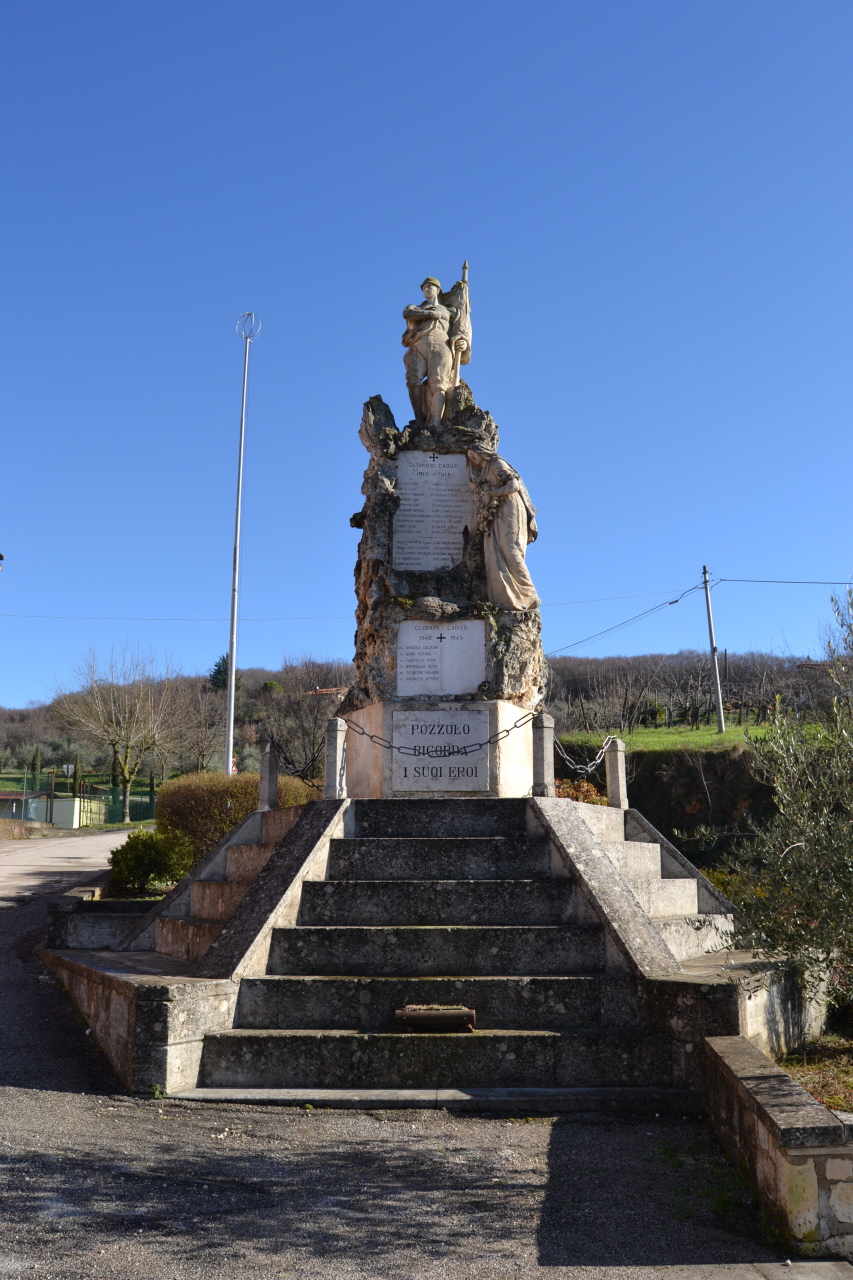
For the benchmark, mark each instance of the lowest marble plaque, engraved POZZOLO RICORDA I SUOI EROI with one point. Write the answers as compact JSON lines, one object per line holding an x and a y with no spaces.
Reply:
{"x":441,"y":758}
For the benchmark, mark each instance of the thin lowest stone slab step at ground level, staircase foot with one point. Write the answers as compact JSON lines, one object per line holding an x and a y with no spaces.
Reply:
{"x":526,"y":1103}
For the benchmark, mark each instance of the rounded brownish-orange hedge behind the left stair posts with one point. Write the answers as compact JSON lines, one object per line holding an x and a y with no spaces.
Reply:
{"x":203,"y":808}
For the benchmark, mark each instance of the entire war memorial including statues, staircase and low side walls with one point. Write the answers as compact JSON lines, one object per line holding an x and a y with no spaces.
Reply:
{"x":440,"y":930}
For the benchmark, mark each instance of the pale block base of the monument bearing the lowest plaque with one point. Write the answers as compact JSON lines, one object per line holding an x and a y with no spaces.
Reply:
{"x":441,"y":762}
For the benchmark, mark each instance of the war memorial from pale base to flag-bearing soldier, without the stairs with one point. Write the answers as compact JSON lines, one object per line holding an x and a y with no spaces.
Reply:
{"x":450,"y":670}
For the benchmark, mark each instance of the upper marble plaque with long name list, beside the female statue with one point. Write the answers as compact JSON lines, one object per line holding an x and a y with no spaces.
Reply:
{"x":436,"y":509}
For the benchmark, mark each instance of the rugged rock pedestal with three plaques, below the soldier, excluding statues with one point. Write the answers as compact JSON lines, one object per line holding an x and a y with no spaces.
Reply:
{"x":440,"y":668}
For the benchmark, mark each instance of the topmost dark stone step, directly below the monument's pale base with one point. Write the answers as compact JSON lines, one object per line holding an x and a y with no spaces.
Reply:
{"x":440,"y":817}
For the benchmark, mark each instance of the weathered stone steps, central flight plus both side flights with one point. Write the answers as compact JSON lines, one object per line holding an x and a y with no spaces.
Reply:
{"x":449,"y":903}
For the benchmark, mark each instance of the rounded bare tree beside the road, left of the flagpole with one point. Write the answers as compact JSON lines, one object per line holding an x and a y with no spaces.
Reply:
{"x":127,"y":705}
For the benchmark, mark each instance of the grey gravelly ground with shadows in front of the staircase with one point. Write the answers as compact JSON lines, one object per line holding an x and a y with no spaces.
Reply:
{"x":95,"y":1185}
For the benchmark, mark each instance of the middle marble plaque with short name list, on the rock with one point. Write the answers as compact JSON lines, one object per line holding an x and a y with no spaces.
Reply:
{"x":448,"y":659}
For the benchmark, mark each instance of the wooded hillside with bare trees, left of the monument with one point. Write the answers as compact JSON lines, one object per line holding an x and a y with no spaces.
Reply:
{"x":126,"y":720}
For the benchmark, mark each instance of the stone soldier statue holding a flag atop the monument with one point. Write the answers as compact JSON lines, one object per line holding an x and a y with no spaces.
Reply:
{"x":437,"y":340}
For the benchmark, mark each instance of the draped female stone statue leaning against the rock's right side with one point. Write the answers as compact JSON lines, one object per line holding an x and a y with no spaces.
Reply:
{"x":507,"y":519}
